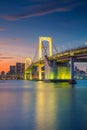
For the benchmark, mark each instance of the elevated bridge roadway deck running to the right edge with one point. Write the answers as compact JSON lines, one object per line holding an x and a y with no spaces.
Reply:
{"x":79,"y":54}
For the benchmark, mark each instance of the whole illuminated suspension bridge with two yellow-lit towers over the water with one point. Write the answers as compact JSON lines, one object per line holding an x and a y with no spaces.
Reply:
{"x":49,"y":66}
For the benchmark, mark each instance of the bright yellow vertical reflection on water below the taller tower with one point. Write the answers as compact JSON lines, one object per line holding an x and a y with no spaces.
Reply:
{"x":45,"y":109}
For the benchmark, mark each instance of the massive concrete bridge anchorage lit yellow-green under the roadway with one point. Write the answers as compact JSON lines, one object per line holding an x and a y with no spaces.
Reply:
{"x":56,"y":71}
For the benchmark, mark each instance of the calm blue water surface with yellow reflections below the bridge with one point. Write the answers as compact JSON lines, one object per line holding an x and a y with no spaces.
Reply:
{"x":29,"y":105}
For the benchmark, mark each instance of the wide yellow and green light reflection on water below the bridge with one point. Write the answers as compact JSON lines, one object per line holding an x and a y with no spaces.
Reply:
{"x":52,"y":106}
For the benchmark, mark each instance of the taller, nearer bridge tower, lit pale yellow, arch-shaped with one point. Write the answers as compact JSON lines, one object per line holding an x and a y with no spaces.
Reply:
{"x":41,"y":47}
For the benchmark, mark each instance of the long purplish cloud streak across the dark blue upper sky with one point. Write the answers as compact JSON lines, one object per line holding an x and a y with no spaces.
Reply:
{"x":38,"y":8}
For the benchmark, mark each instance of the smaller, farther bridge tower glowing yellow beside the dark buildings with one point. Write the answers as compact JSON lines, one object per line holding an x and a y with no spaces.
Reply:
{"x":28,"y":62}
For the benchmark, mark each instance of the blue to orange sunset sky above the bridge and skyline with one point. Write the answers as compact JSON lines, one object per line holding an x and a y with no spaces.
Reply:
{"x":23,"y":21}
